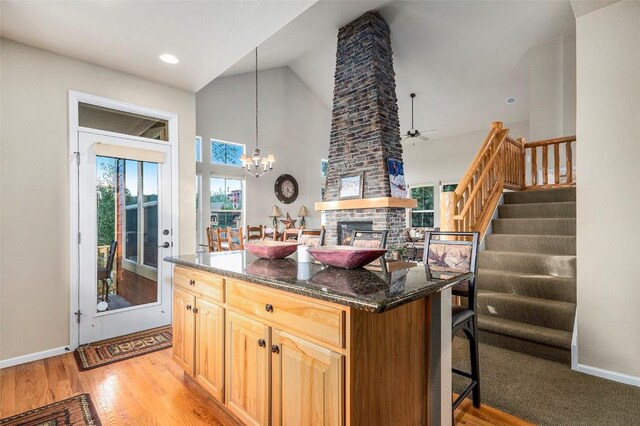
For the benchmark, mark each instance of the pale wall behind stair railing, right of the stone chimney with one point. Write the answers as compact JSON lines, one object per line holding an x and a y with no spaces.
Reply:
{"x":446,"y":160}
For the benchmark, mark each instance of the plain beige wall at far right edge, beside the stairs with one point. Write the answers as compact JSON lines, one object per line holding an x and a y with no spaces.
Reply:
{"x":608,"y":125}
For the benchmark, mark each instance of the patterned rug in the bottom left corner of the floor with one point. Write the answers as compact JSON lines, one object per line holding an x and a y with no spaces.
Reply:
{"x":77,"y":410}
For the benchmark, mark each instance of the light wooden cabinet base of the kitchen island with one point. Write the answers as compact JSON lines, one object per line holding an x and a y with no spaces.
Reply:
{"x":276,"y":358}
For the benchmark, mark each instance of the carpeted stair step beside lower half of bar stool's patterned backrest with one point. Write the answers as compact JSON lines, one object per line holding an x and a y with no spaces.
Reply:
{"x":532,"y":263}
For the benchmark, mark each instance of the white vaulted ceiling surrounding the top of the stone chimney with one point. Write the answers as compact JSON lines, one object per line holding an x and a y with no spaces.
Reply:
{"x":461,"y":58}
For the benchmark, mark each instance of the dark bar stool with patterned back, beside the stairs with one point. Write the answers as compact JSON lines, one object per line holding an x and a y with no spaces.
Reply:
{"x":447,"y":253}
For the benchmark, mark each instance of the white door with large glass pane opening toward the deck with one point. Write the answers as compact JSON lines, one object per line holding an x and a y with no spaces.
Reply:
{"x":125,"y":232}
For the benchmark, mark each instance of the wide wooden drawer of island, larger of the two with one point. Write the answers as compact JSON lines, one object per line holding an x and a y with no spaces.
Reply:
{"x":304,"y":316}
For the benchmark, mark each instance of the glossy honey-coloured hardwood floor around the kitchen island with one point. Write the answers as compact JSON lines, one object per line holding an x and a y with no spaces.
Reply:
{"x":147,"y":390}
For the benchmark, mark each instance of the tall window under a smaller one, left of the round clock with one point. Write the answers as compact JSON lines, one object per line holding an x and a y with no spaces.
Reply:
{"x":226,"y":202}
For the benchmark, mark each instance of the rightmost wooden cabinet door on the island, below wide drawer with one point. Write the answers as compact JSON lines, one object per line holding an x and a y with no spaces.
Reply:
{"x":307,"y":383}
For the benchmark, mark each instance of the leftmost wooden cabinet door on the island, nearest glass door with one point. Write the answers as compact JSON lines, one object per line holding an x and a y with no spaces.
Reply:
{"x":184,"y":332}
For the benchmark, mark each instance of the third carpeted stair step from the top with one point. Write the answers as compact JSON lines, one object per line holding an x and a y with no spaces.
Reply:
{"x":535,"y":226}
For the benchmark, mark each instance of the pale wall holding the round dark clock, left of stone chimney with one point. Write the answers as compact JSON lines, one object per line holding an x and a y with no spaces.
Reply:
{"x":294,"y":127}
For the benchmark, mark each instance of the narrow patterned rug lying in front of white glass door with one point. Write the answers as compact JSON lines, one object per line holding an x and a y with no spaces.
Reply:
{"x":124,"y":347}
